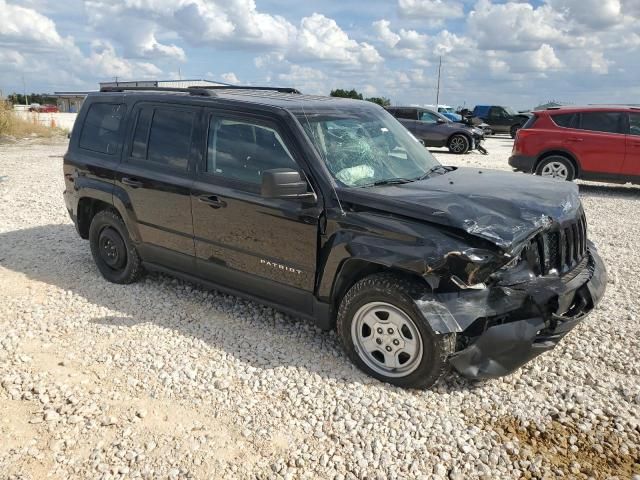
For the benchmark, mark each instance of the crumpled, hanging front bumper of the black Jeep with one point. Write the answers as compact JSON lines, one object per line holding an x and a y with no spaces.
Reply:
{"x":502,"y":327}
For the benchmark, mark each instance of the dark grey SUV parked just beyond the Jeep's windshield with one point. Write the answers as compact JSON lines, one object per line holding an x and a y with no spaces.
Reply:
{"x":437,"y":131}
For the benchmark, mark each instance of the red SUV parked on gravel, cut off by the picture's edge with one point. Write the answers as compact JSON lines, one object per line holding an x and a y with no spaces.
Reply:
{"x":591,"y":143}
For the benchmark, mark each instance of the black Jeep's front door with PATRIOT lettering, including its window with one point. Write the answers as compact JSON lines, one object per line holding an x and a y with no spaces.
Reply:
{"x":265,"y":247}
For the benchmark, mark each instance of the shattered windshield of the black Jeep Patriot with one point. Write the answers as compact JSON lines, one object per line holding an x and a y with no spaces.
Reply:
{"x":366,"y":146}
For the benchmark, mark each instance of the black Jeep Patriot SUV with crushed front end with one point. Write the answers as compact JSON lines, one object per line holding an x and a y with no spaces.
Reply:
{"x":329,"y":209}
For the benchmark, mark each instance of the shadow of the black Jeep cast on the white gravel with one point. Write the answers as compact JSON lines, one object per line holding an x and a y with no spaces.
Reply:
{"x":261,"y":337}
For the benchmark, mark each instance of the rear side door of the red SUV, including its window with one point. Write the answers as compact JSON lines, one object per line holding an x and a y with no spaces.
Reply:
{"x":599,"y":142}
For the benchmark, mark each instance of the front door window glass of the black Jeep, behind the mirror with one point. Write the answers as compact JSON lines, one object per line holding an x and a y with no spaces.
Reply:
{"x":242,"y":150}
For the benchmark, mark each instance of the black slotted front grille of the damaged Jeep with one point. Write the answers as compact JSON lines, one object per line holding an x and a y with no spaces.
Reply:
{"x":560,"y":249}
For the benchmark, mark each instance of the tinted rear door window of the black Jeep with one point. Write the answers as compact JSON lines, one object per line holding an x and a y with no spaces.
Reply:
{"x":163,"y":137}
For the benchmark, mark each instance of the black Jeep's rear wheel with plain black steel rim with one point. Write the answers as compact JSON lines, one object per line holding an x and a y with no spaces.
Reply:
{"x":112,"y":249}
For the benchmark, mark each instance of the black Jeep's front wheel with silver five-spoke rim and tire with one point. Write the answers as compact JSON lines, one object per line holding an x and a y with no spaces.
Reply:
{"x":386,"y":336}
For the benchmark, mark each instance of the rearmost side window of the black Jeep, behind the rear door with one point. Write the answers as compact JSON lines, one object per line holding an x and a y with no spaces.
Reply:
{"x":102,"y":130}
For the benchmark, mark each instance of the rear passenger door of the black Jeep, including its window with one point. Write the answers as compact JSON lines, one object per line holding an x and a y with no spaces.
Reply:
{"x":156,"y":178}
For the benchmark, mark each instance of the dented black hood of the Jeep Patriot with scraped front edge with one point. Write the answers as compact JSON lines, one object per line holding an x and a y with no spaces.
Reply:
{"x":502,"y":207}
